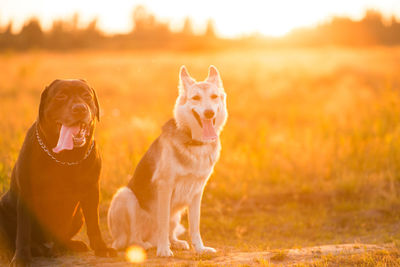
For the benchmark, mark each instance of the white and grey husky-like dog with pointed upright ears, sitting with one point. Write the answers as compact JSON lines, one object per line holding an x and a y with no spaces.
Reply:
{"x":173,"y":173}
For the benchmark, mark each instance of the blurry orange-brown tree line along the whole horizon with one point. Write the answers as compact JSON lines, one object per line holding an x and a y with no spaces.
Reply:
{"x":150,"y":33}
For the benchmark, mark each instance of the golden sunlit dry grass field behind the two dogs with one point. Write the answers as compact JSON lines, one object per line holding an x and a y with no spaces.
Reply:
{"x":311,"y":149}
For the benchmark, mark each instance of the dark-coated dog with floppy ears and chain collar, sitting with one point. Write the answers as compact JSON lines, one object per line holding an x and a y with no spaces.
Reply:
{"x":55,"y":178}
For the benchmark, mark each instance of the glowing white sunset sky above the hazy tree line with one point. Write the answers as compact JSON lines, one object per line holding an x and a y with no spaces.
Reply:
{"x":232,"y":18}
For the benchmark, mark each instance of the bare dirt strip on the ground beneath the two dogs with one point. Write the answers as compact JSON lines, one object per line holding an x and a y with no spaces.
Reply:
{"x":284,"y":257}
